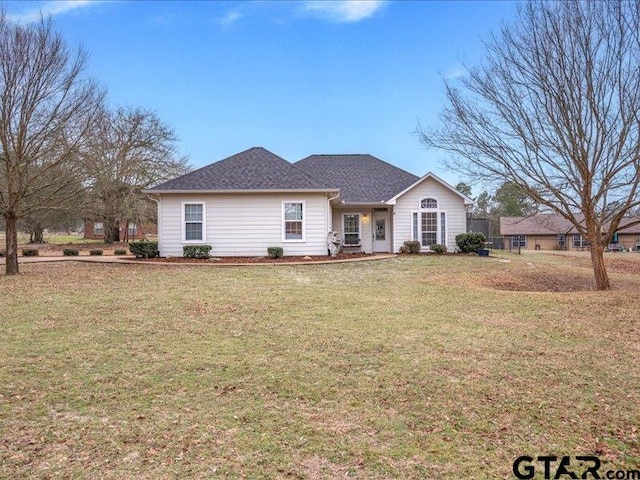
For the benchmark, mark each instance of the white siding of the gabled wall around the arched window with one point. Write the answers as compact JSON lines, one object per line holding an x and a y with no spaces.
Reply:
{"x":448,"y":201}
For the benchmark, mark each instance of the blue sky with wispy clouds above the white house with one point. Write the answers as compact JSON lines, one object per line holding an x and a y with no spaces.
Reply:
{"x":297,"y":78}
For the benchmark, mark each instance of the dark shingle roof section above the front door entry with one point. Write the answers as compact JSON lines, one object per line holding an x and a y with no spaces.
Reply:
{"x":360,"y":178}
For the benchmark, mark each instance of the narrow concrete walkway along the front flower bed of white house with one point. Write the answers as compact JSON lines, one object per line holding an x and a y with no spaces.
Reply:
{"x":129,"y":259}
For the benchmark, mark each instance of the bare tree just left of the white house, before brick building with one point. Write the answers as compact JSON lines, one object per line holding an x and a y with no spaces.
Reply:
{"x":132,"y":150}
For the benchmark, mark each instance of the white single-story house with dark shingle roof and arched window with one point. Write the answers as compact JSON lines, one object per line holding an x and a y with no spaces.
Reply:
{"x":255,"y":199}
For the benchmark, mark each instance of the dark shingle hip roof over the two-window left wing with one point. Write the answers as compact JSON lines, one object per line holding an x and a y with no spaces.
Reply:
{"x":253,"y":169}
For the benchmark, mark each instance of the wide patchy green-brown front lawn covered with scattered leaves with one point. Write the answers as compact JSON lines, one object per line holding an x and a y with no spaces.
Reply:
{"x":414,"y":367}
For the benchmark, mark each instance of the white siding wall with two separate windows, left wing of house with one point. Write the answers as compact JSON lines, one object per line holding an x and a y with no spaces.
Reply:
{"x":244,"y":224}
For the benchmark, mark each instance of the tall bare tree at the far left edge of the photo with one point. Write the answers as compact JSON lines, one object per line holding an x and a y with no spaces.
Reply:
{"x":47,"y":107}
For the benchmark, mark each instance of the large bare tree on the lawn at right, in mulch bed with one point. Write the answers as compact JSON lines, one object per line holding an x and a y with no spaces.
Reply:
{"x":555,"y":109}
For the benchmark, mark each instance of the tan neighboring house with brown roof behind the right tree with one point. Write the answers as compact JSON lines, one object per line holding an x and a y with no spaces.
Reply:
{"x":554,"y":232}
